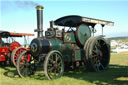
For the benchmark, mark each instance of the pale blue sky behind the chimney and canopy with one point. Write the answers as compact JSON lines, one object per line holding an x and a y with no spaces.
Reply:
{"x":20,"y":15}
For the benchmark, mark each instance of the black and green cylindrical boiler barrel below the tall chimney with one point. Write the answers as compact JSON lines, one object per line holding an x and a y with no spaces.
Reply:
{"x":42,"y":46}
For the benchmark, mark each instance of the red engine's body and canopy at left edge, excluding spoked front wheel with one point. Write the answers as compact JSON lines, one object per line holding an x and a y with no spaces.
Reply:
{"x":8,"y":45}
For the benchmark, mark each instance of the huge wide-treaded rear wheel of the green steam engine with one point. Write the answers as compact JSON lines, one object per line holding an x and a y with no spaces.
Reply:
{"x":97,"y":53}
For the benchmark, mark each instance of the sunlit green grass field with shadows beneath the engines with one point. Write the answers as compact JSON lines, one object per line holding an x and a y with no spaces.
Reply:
{"x":116,"y":74}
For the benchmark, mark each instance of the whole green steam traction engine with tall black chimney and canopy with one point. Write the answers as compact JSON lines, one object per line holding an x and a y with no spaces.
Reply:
{"x":65,"y":48}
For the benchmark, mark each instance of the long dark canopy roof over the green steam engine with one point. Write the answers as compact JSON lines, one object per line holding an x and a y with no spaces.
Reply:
{"x":75,"y":20}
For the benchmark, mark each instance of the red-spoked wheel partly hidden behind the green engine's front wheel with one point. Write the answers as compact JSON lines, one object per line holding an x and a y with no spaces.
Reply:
{"x":16,"y":53}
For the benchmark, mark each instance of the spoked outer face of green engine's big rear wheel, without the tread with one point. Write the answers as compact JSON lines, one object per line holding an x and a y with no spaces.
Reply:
{"x":99,"y":55}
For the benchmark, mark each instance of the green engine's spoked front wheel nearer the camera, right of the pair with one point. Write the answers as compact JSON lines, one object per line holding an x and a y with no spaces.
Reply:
{"x":54,"y":65}
